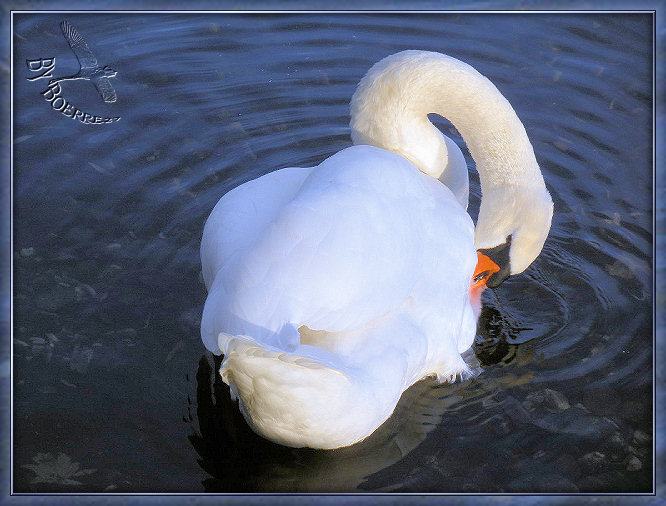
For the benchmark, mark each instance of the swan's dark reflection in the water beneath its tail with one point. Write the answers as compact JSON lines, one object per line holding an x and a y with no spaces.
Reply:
{"x":238,"y":460}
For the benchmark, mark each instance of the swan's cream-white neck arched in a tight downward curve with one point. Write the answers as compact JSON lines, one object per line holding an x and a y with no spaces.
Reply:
{"x":389,"y":110}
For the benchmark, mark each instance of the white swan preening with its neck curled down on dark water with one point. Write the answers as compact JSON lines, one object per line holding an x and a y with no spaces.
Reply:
{"x":332,"y":289}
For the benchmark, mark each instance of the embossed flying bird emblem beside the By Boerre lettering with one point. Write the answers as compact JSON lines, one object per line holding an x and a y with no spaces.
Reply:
{"x":90,"y":69}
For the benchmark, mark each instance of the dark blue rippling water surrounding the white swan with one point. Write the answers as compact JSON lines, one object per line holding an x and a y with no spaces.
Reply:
{"x":113,"y":390}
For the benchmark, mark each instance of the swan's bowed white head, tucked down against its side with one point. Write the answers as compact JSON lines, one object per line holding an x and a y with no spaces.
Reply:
{"x":512,"y":227}
